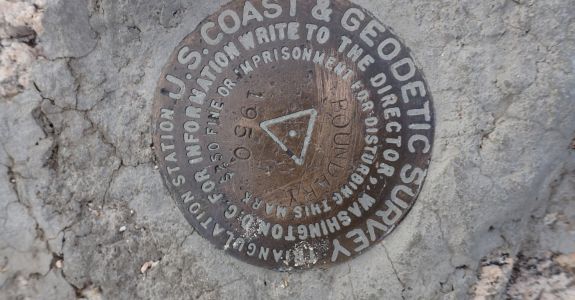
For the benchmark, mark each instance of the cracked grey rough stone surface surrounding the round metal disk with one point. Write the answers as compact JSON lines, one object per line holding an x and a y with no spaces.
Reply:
{"x":84,"y":212}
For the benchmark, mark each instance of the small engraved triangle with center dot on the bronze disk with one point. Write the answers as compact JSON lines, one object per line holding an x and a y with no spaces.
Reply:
{"x":286,"y":131}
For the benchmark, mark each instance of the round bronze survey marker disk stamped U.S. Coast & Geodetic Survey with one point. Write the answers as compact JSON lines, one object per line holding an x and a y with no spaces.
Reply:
{"x":293,"y":134}
